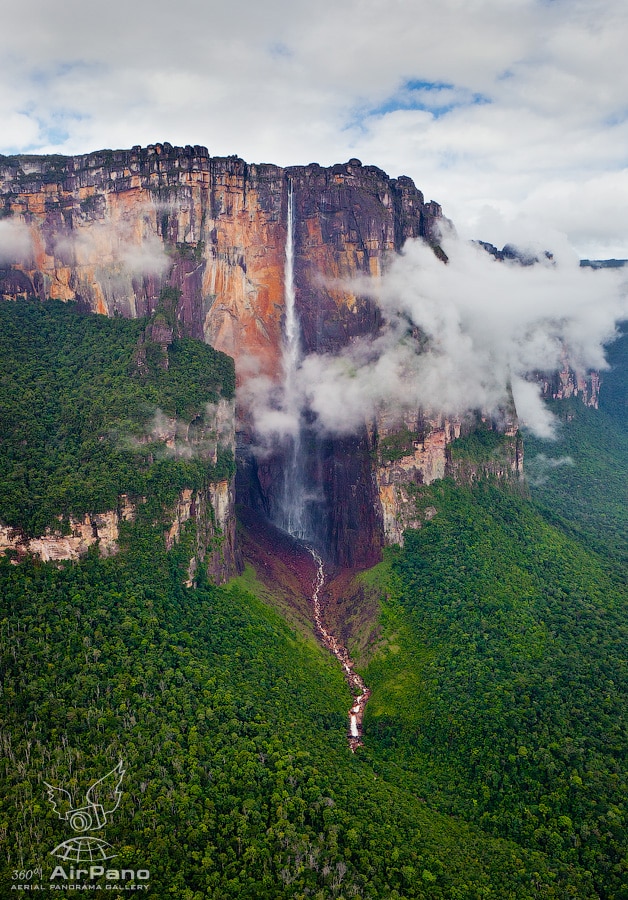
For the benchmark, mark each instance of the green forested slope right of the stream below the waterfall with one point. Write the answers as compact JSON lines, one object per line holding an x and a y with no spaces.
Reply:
{"x":502,"y":696}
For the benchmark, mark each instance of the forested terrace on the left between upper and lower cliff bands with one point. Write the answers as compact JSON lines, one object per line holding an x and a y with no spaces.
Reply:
{"x":77,"y":412}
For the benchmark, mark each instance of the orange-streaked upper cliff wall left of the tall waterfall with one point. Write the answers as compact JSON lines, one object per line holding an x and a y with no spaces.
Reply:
{"x":110,"y":229}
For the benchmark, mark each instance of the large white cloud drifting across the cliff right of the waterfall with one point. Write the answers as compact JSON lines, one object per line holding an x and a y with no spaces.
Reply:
{"x":458,"y":337}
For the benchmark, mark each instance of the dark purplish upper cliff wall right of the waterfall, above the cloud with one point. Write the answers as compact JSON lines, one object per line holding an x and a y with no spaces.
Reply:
{"x":348,"y":220}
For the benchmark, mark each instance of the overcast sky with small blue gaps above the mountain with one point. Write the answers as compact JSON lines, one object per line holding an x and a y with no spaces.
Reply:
{"x":513,"y":114}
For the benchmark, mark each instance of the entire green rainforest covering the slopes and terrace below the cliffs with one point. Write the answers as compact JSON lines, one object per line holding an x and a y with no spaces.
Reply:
{"x":494,"y":758}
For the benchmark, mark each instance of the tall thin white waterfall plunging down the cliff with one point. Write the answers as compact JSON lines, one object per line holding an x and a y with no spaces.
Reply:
{"x":292,"y":514}
